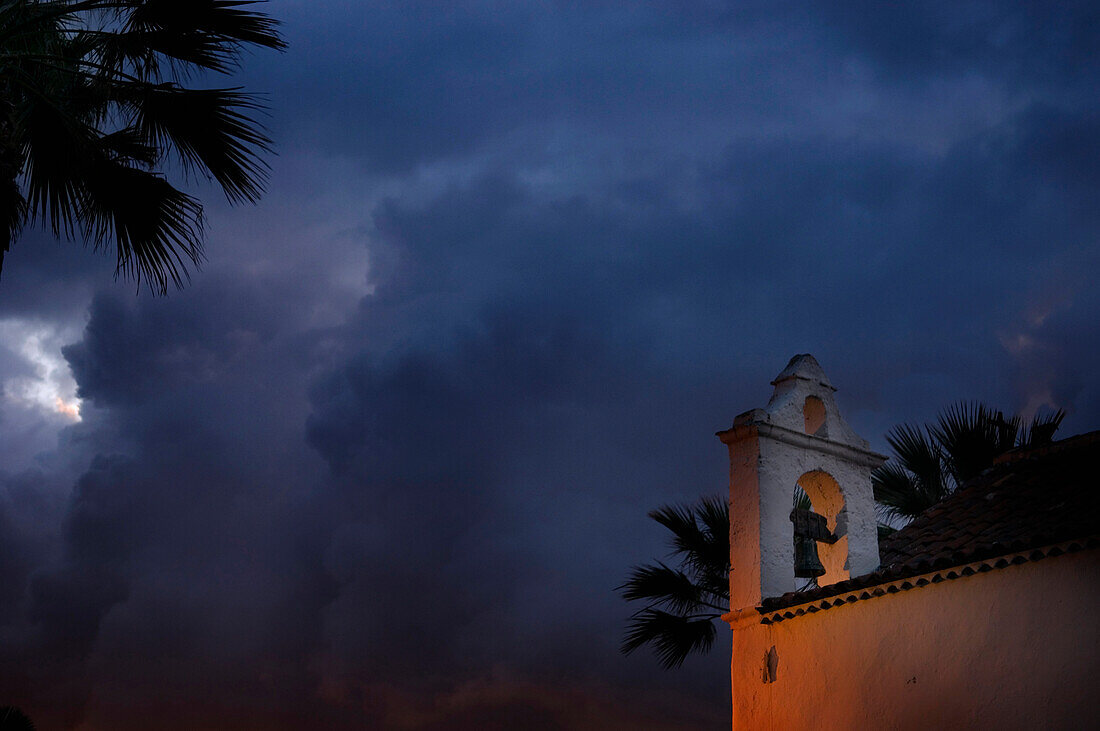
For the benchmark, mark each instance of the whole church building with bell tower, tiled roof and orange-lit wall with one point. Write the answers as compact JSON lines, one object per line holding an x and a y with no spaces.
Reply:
{"x":982,"y":614}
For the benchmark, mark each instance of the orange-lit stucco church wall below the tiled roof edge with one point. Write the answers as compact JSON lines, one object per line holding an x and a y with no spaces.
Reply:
{"x":1017,"y":648}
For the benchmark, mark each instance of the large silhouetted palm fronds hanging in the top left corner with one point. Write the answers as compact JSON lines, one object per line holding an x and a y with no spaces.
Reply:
{"x":98,"y":102}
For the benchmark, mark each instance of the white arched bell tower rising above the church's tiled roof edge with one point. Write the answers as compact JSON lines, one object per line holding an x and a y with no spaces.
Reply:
{"x":798,"y":440}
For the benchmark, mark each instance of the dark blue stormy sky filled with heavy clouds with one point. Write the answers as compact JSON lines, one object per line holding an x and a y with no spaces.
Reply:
{"x":383,"y":463}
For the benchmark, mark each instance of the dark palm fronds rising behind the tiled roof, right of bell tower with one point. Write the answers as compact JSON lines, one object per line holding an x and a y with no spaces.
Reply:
{"x":931,"y":461}
